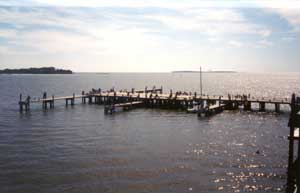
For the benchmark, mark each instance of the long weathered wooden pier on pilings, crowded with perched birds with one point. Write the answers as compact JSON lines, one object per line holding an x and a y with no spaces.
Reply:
{"x":155,"y":98}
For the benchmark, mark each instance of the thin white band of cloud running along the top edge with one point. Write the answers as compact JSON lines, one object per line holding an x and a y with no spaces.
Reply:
{"x":158,"y":3}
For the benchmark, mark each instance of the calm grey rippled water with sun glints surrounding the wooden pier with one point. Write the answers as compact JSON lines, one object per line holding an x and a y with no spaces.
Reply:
{"x":80,"y":149}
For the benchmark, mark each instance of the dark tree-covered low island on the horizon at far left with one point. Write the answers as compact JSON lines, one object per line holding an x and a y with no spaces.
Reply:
{"x":44,"y":70}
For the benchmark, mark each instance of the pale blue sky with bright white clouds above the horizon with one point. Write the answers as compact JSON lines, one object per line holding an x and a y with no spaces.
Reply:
{"x":151,"y":36}
